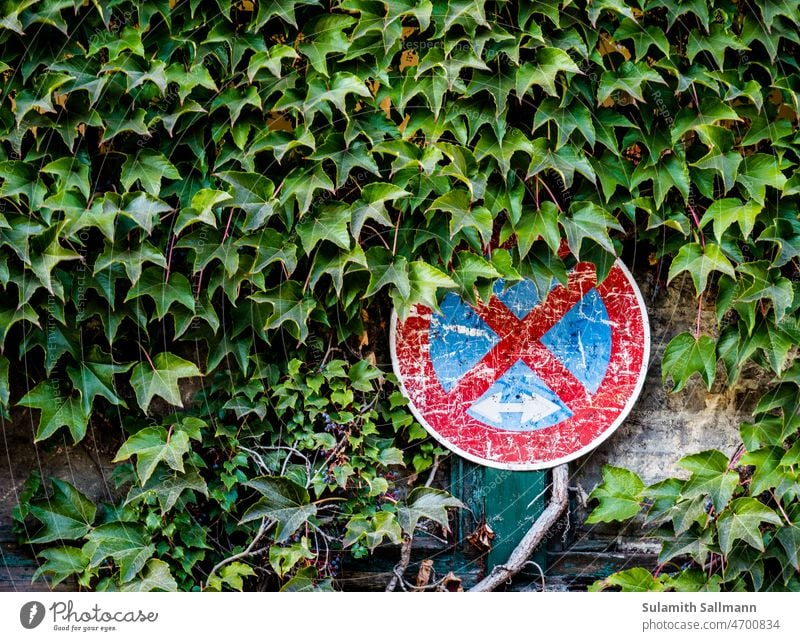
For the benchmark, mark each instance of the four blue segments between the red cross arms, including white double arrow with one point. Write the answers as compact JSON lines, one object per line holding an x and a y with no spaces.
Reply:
{"x":519,"y":400}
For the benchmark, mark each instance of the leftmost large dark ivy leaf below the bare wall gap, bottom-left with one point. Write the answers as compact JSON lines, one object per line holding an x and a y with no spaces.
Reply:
{"x":67,"y":514}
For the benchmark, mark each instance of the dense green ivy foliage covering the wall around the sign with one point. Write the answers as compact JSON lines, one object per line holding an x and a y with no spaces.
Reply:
{"x":229,"y":196}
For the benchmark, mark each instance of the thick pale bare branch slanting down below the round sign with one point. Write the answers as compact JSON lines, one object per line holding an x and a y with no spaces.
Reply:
{"x":500,"y":574}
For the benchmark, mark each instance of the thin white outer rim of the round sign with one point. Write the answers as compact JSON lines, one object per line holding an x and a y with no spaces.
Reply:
{"x":543,"y":465}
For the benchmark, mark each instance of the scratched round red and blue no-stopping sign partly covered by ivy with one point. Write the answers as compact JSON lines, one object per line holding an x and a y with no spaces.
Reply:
{"x":522,"y":383}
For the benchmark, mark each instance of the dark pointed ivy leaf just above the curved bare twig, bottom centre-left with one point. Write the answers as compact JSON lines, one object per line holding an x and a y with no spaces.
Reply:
{"x":283,"y":501}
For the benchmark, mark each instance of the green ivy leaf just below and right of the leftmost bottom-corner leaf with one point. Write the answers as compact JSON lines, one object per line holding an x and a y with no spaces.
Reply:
{"x":125,"y":542}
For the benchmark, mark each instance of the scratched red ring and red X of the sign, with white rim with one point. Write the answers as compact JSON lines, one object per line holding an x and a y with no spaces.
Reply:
{"x":594,"y":415}
